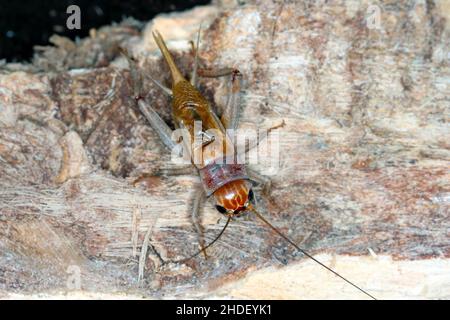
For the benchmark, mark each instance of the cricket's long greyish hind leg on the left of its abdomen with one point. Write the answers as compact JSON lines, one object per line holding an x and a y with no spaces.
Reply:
{"x":161,"y":128}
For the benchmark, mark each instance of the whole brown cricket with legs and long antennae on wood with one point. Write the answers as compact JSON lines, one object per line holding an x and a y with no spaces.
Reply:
{"x":223,"y":178}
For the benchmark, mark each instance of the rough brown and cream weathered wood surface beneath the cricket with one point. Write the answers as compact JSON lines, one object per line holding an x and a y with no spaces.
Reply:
{"x":363,"y":181}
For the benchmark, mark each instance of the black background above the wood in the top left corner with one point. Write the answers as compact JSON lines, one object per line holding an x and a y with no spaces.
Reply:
{"x":26,"y":23}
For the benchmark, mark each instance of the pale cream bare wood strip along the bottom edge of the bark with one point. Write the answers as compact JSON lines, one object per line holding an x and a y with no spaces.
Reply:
{"x":379,"y":275}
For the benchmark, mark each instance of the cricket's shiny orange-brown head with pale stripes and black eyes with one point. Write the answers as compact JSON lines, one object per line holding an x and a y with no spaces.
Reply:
{"x":234,"y":198}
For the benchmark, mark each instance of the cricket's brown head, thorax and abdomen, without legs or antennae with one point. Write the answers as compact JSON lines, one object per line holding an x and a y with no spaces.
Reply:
{"x":220,"y":174}
